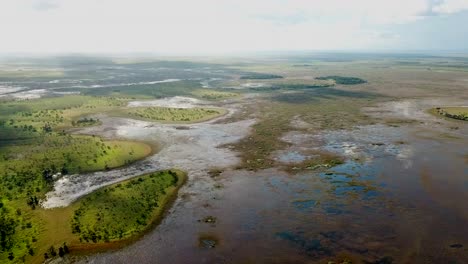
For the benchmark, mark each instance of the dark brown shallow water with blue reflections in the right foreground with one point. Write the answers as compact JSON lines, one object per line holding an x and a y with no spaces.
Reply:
{"x":400,"y":198}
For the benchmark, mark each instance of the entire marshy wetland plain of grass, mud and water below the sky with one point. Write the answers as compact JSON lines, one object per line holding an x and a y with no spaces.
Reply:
{"x":207,"y":160}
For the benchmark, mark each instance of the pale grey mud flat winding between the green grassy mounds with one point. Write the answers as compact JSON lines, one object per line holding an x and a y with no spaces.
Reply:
{"x":194,"y":149}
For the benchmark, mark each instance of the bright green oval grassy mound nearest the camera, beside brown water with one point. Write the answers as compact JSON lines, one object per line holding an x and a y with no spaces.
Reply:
{"x":122,"y":210}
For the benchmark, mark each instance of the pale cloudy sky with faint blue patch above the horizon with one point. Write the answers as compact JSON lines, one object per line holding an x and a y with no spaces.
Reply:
{"x":230,"y":26}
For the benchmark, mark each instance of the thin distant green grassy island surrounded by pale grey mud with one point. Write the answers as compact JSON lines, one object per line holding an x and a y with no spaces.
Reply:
{"x":170,"y":114}
